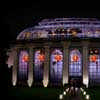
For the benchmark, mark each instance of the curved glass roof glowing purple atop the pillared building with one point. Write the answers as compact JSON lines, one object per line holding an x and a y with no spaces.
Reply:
{"x":63,"y":28}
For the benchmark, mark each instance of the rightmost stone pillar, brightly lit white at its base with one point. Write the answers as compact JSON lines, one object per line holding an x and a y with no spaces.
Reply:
{"x":85,"y":63}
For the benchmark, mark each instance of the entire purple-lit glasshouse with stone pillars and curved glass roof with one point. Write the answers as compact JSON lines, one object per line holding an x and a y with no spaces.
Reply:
{"x":56,"y":51}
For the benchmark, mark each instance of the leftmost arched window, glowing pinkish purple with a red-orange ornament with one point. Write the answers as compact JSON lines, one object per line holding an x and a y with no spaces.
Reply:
{"x":23,"y":65}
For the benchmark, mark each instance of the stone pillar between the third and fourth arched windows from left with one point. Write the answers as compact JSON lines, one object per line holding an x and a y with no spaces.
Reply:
{"x":65,"y":62}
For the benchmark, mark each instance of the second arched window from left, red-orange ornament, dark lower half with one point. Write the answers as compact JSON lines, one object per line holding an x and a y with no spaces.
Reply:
{"x":39,"y":58}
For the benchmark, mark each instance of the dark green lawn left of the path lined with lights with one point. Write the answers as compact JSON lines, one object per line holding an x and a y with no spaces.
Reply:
{"x":39,"y":93}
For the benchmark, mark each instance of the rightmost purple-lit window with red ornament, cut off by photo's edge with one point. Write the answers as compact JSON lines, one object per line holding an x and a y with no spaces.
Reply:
{"x":94,"y":65}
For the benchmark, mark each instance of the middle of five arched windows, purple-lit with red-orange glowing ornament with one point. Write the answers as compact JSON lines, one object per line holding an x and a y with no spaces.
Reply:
{"x":56,"y":65}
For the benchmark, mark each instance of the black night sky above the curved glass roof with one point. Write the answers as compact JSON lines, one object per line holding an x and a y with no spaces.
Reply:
{"x":17,"y":16}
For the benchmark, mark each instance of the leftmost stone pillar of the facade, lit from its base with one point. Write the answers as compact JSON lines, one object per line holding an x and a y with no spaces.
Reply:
{"x":14,"y":68}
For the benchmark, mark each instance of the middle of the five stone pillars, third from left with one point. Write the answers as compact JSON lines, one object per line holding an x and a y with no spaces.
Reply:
{"x":46,"y":67}
